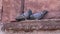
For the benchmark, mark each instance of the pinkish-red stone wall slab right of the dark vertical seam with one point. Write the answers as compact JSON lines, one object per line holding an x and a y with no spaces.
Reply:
{"x":53,"y":6}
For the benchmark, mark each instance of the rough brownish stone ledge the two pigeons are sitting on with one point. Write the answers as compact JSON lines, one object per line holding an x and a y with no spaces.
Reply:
{"x":30,"y":25}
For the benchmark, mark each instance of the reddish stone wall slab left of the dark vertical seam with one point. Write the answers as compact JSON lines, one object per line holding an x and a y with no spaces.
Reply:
{"x":10,"y":9}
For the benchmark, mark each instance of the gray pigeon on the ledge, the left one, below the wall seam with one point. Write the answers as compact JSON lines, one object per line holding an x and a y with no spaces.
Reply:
{"x":24,"y":16}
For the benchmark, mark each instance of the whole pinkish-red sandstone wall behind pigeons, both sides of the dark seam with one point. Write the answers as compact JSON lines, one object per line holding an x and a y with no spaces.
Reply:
{"x":12,"y":7}
